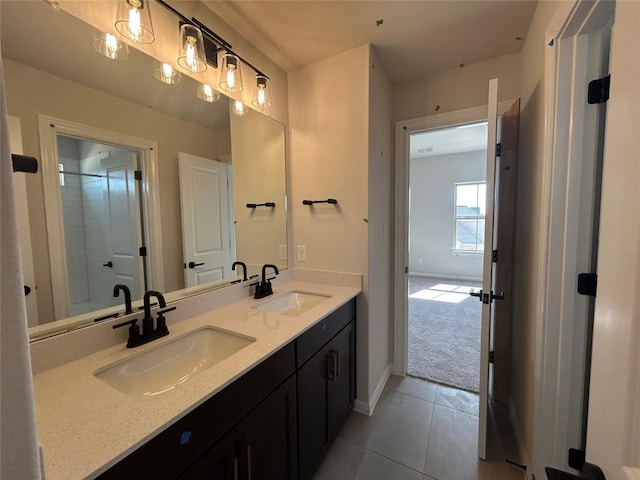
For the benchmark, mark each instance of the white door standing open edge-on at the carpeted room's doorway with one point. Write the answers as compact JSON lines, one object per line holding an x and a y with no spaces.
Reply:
{"x":487,"y":268}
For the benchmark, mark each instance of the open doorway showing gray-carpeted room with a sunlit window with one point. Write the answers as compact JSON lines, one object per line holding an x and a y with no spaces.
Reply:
{"x":447,"y":197}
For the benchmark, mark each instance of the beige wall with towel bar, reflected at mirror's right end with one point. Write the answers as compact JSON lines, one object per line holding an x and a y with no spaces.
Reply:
{"x":258,"y":147}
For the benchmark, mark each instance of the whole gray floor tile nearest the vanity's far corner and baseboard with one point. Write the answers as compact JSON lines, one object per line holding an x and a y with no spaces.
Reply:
{"x":401,"y":432}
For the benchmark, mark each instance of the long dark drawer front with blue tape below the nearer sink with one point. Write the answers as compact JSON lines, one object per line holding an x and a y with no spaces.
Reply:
{"x":180,"y":444}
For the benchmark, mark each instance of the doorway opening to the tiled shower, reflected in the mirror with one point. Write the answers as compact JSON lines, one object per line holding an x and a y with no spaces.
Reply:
{"x":102,"y":220}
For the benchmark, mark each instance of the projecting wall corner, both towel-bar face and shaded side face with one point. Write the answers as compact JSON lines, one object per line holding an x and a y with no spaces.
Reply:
{"x":340,"y":148}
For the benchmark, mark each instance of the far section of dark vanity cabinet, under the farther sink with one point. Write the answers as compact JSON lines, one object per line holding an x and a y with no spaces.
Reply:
{"x":326,"y":390}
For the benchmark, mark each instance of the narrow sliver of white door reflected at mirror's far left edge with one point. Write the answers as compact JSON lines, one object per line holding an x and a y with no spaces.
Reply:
{"x":24,"y":229}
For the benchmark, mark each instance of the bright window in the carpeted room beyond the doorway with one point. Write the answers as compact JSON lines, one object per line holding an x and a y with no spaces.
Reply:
{"x":470,"y":210}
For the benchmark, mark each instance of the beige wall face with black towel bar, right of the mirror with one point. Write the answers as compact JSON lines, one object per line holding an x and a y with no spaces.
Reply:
{"x":329,"y":124}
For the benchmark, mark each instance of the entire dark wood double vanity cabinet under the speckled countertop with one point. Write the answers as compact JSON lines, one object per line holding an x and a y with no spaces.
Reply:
{"x":273,"y":423}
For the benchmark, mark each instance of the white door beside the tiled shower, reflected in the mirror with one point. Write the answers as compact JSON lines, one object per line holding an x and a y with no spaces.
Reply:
{"x":122,"y":263}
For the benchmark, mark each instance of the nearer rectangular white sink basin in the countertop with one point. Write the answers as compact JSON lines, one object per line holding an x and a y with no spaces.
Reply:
{"x":163,"y":368}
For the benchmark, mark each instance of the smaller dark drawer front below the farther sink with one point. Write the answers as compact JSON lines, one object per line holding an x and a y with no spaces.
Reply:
{"x":322,"y":332}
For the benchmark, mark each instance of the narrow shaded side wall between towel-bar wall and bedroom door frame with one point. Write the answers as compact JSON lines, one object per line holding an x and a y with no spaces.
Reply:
{"x":380,"y":192}
